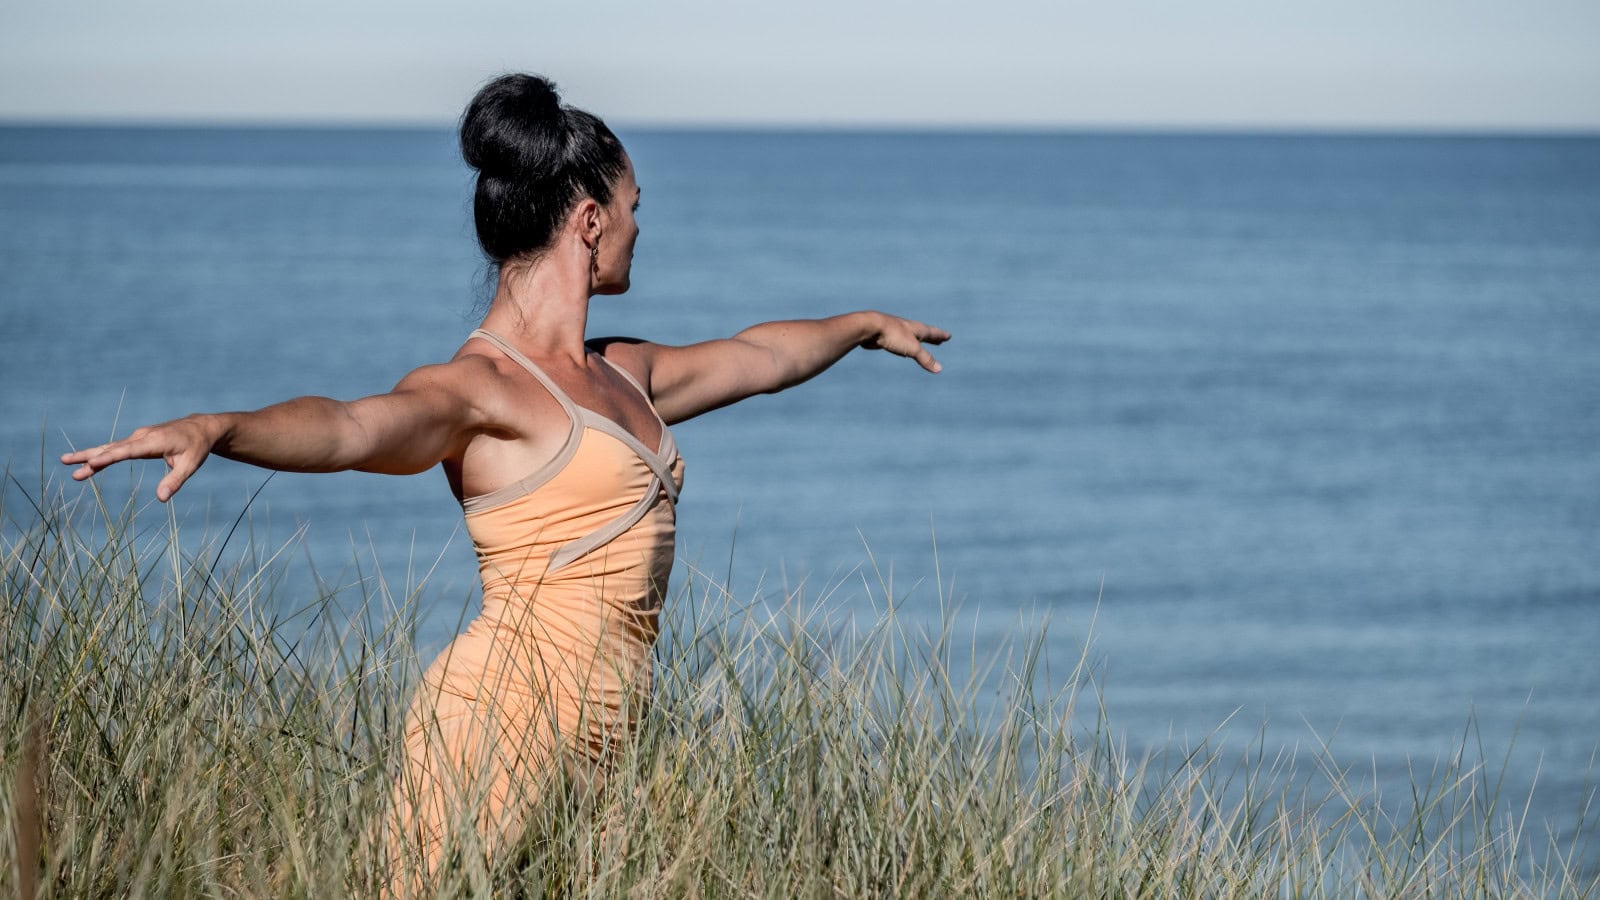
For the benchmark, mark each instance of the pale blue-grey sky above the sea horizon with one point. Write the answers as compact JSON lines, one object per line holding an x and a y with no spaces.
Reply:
{"x":1017,"y":63}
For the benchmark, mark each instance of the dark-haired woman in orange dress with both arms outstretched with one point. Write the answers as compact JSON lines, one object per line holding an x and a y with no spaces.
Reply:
{"x":558,"y":449}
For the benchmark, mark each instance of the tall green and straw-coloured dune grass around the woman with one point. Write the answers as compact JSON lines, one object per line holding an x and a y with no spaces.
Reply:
{"x":180,"y":729}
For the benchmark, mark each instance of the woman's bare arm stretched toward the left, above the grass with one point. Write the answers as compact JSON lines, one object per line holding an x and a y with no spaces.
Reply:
{"x":428,"y":417}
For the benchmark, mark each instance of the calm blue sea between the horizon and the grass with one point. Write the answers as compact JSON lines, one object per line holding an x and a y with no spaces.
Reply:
{"x":1308,"y":427}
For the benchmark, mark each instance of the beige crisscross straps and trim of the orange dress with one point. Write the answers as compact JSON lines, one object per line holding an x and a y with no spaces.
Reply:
{"x":660,"y":460}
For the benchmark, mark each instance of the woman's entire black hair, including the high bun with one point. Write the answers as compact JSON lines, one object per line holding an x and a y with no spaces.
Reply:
{"x":535,"y":159}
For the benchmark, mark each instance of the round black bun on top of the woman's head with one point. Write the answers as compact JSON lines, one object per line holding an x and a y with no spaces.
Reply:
{"x":516,"y":127}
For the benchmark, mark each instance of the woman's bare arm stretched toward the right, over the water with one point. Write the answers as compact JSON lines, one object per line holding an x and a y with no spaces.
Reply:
{"x":687,"y":382}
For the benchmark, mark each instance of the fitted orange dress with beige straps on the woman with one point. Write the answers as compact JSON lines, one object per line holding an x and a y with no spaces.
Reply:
{"x":554,"y":672}
